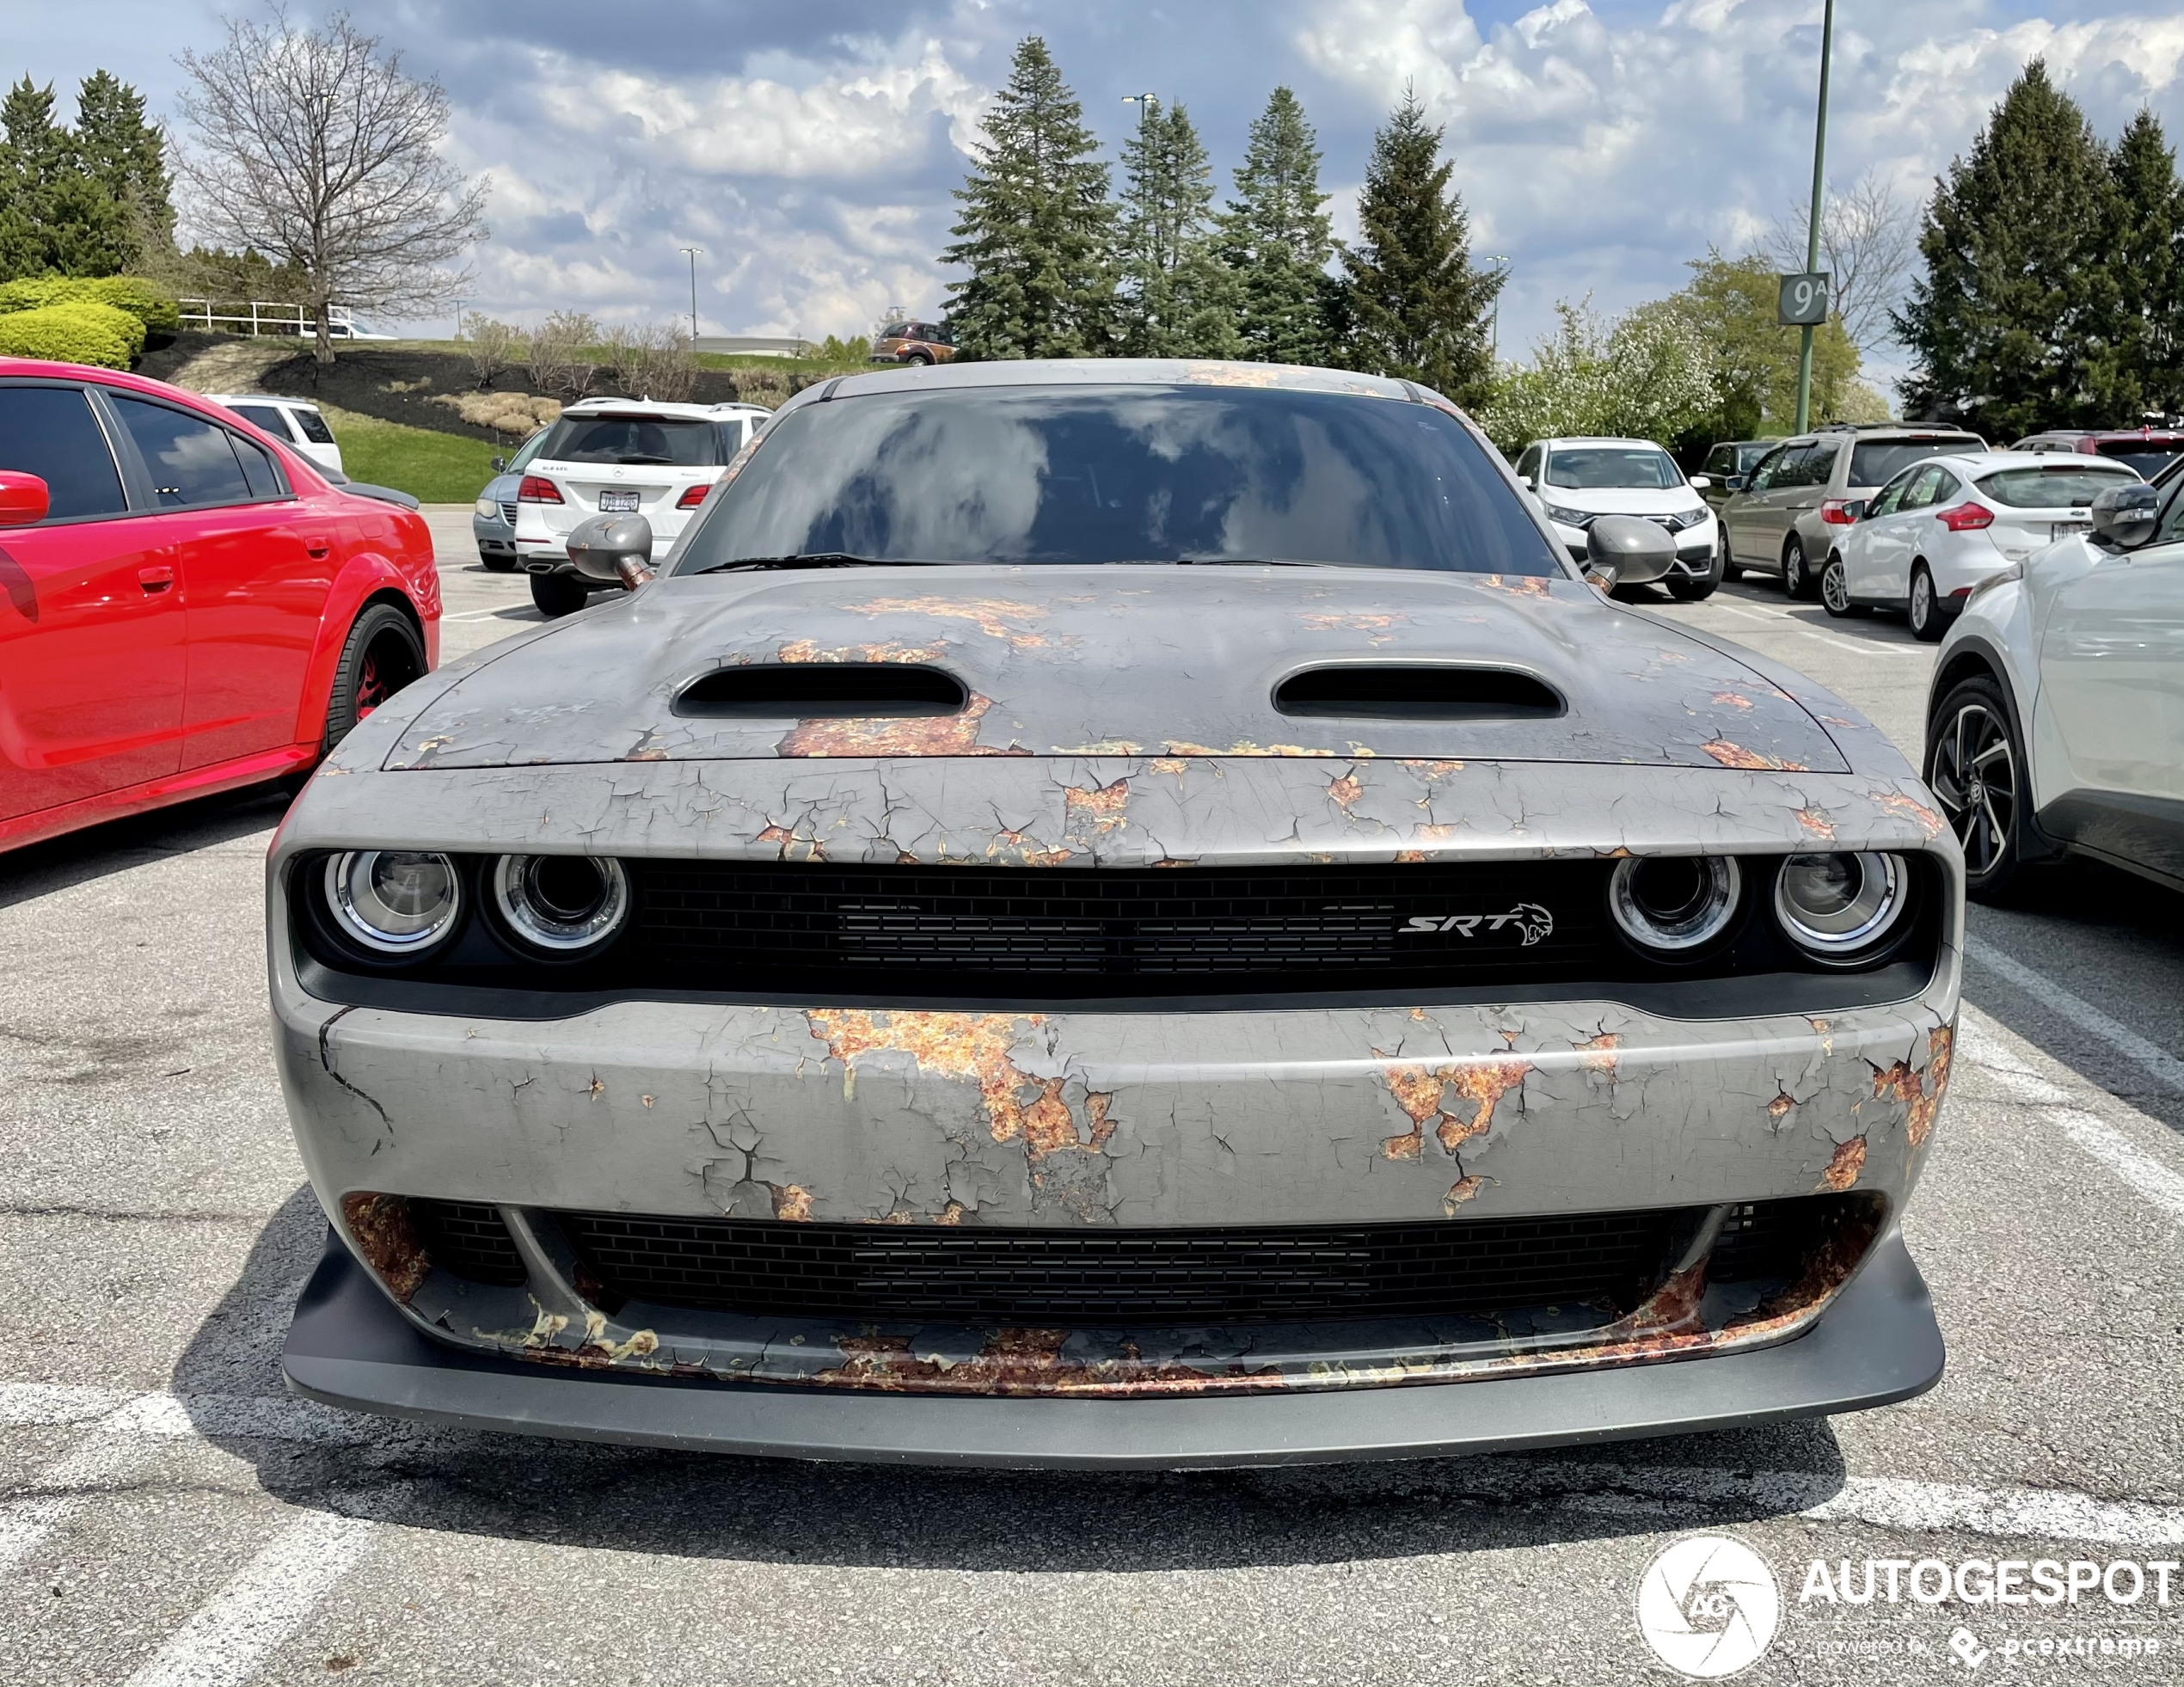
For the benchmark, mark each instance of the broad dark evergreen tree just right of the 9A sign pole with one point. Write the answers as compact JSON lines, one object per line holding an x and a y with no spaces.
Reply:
{"x":2006,"y":322}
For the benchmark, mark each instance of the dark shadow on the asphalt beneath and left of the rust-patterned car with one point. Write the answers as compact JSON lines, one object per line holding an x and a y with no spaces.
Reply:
{"x":923,"y":1518}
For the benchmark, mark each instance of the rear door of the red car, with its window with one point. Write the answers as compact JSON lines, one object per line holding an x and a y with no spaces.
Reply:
{"x":257,"y":565}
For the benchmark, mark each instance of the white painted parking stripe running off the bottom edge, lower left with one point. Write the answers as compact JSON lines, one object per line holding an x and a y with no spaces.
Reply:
{"x":261,"y":1607}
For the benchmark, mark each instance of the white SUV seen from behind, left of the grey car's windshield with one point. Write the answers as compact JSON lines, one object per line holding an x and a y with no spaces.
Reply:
{"x":619,"y":458}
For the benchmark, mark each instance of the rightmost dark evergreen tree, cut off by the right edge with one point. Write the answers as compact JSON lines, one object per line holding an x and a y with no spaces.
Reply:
{"x":2141,"y":359}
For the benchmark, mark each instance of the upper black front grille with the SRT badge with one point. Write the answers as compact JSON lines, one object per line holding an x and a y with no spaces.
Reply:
{"x":929,"y":930}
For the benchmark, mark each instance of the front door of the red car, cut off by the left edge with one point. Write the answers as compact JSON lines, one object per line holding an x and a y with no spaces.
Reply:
{"x":91,"y":617}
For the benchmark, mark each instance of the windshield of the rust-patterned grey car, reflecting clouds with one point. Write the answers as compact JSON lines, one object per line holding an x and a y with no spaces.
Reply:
{"x":1091,"y":475}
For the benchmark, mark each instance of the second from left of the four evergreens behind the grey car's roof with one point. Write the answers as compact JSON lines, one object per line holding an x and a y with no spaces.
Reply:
{"x":1178,"y":296}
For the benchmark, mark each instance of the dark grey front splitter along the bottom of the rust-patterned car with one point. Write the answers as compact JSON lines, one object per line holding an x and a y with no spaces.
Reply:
{"x":1875,"y":1345}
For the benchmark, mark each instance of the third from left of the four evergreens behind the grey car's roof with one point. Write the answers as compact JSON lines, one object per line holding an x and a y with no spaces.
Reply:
{"x":1277,"y":237}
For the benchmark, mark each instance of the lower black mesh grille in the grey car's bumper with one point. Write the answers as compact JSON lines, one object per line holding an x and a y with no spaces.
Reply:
{"x":1130,"y":1277}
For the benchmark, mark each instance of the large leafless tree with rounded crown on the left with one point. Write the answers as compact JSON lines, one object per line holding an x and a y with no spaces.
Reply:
{"x":313,"y":148}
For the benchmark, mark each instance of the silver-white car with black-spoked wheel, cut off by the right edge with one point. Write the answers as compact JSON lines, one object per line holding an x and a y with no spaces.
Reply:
{"x":2056,"y":718}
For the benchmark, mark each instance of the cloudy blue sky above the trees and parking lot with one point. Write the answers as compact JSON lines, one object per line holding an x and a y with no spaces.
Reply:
{"x":811,"y":148}
